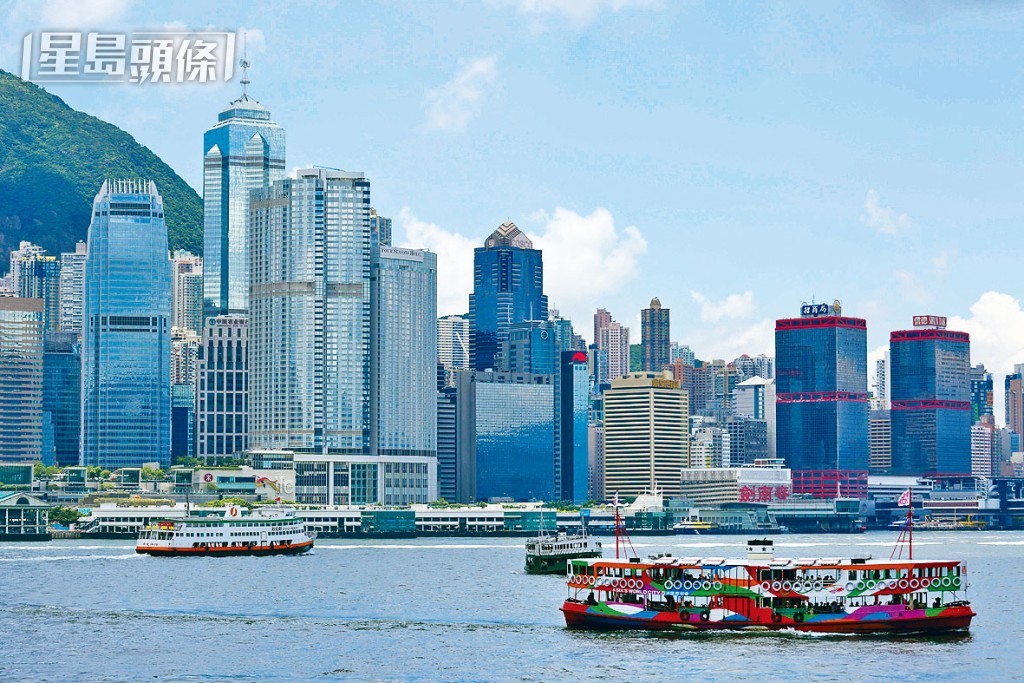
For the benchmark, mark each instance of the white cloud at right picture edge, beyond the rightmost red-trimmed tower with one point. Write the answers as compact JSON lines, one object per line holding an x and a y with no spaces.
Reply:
{"x":997,"y":329}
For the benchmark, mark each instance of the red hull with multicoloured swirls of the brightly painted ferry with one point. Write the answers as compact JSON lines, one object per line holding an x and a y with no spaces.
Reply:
{"x":603,"y":618}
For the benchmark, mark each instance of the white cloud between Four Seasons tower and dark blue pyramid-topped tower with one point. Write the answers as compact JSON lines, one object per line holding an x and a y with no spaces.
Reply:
{"x":455,"y":260}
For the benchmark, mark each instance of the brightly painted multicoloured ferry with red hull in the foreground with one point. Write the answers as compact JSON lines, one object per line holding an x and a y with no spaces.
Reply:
{"x":762,"y":593}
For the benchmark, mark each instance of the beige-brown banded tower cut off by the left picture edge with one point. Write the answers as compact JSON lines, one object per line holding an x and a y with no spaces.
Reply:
{"x":21,"y":379}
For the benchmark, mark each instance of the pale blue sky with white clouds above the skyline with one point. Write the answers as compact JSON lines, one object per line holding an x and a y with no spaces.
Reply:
{"x":734,"y":160}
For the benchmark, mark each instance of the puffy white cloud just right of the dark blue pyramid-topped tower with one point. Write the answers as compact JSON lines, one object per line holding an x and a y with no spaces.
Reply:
{"x":586,"y":259}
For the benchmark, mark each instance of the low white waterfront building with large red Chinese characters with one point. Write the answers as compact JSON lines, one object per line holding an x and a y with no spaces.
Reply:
{"x":764,"y":482}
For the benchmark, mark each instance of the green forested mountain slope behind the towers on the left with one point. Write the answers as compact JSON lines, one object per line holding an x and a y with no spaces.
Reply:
{"x":53,"y":163}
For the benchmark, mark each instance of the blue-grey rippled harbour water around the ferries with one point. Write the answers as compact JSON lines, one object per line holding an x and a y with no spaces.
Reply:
{"x":446,"y":611}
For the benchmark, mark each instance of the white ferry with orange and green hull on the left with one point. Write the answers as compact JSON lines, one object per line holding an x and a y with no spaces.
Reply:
{"x":264,"y":532}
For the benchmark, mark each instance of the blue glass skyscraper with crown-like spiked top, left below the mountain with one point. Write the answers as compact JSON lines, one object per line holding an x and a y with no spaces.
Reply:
{"x":126,"y":341}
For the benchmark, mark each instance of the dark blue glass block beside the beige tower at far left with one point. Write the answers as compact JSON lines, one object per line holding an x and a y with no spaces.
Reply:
{"x":62,"y":395}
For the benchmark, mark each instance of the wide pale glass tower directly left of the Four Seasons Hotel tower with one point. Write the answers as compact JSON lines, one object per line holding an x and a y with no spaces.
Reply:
{"x":311,"y":310}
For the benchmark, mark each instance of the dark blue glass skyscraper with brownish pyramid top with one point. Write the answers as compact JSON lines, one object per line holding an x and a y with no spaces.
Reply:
{"x":508,"y":288}
